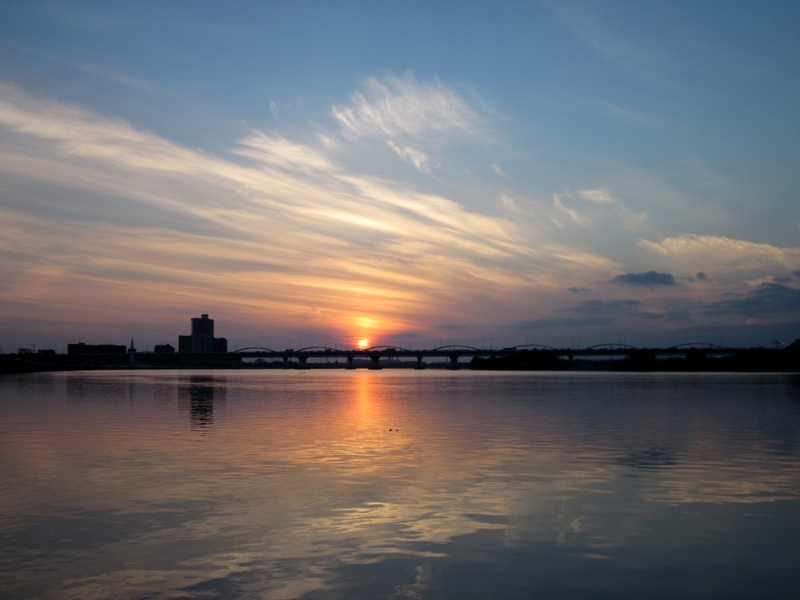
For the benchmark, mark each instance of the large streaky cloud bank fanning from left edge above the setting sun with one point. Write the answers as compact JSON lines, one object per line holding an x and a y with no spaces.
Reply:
{"x":128,"y":215}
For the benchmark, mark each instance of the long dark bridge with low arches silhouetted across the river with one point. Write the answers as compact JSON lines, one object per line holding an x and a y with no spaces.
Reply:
{"x":452,"y":353}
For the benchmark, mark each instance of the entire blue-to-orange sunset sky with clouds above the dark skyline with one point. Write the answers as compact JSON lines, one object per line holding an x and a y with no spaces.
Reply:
{"x":411,"y":174}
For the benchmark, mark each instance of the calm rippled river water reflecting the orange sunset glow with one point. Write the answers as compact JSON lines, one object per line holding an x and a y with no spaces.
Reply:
{"x":399,"y":484}
